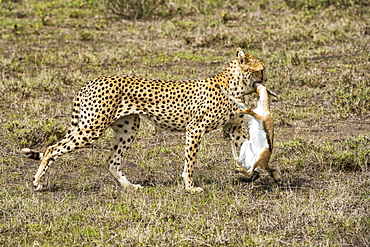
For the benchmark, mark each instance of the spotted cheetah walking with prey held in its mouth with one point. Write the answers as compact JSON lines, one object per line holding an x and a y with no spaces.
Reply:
{"x":195,"y":107}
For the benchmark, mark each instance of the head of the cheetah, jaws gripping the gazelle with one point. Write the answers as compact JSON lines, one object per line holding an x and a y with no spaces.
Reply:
{"x":252,"y":70}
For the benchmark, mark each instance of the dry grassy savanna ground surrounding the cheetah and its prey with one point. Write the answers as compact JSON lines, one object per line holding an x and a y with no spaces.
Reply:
{"x":317,"y":59}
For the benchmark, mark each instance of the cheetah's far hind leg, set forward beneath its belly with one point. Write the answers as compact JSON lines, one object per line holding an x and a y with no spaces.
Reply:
{"x":125,"y":130}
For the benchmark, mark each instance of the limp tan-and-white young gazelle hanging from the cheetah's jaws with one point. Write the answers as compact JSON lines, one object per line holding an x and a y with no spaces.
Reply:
{"x":255,"y":153}
